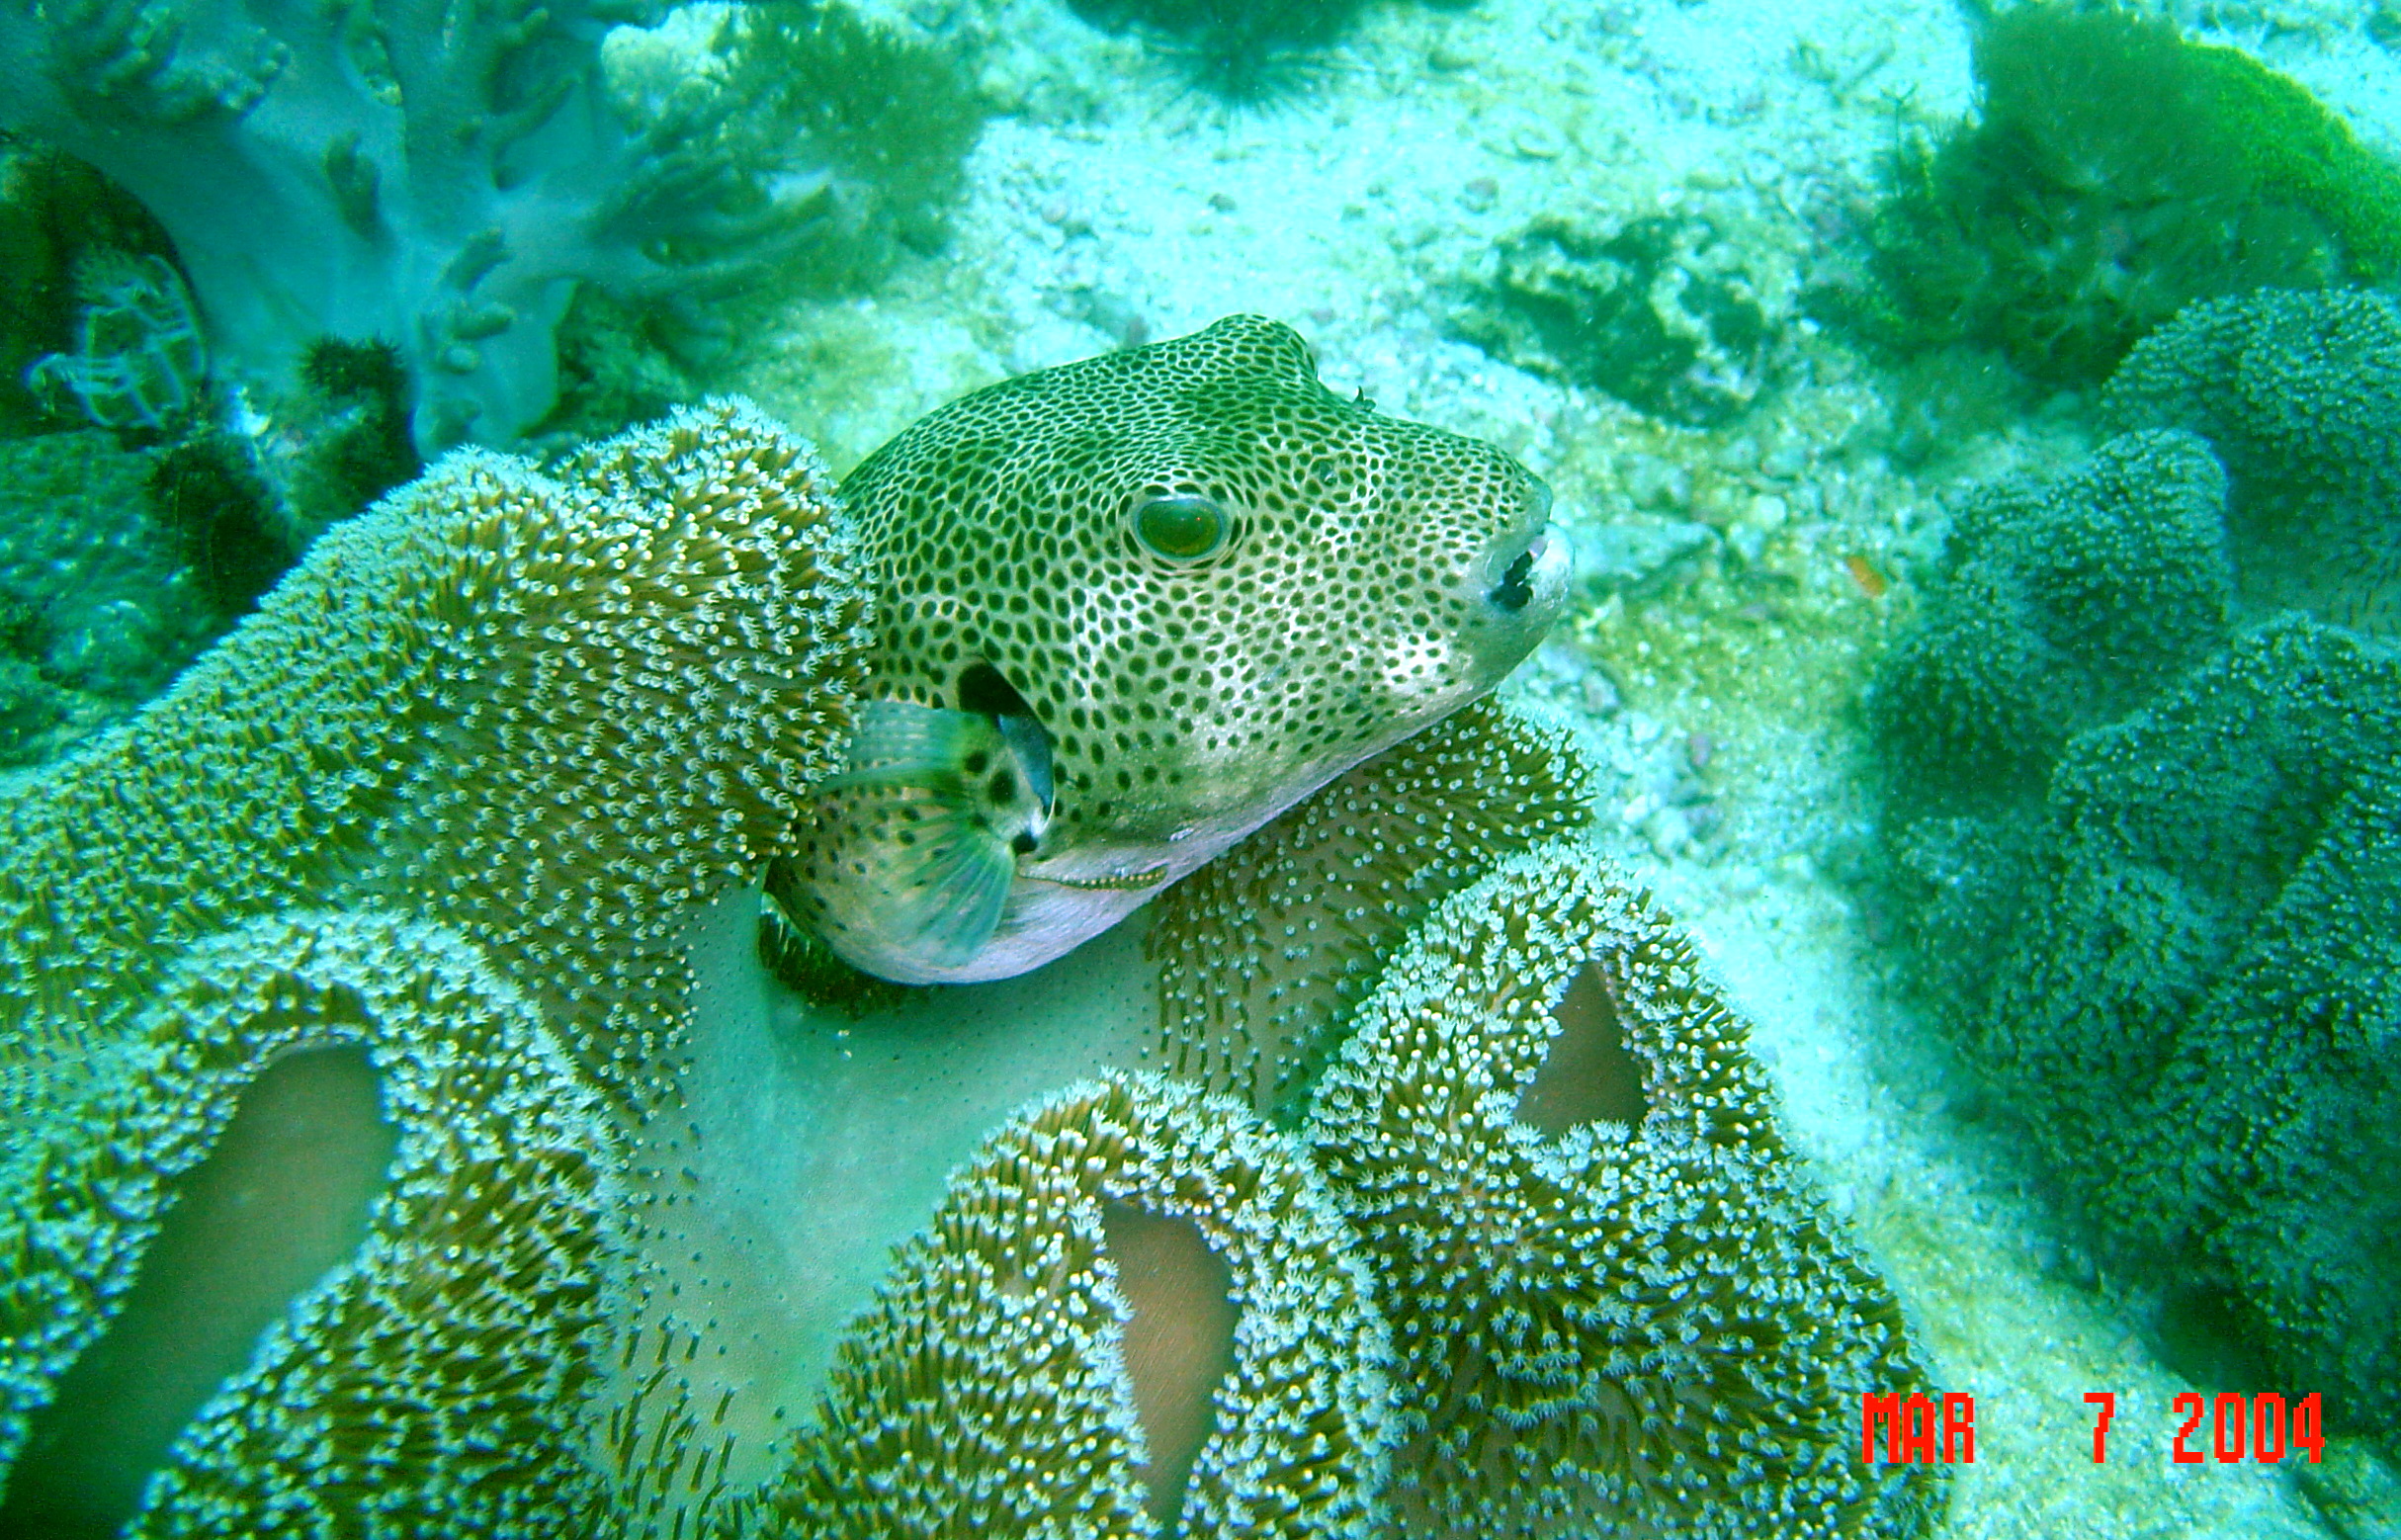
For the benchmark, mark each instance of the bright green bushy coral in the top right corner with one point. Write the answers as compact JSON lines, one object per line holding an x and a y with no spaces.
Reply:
{"x":2061,"y":227}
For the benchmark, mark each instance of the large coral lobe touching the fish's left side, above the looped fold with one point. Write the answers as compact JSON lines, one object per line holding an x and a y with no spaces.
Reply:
{"x":553,"y":712}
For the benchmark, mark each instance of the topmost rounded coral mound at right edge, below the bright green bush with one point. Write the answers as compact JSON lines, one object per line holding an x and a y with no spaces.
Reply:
{"x":2299,"y":398}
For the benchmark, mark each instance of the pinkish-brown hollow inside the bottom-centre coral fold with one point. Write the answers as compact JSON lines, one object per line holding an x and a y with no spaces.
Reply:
{"x":1180,"y":1342}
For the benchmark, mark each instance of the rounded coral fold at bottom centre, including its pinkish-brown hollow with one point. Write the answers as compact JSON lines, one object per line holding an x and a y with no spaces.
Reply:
{"x":1151,"y":1289}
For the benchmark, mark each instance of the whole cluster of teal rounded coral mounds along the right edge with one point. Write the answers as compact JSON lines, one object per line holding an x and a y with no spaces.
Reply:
{"x":2143,"y":856}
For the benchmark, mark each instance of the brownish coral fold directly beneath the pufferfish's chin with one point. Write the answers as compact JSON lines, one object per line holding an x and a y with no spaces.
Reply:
{"x":1264,"y":953}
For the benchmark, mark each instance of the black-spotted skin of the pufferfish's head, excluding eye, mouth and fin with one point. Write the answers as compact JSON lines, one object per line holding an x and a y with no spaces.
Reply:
{"x":1343,"y":604}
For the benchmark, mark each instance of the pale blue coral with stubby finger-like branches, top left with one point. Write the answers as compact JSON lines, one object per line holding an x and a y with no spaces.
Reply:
{"x":402,"y":172}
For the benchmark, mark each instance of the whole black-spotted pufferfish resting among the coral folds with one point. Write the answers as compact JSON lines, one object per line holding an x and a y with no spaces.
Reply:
{"x":1127,"y":611}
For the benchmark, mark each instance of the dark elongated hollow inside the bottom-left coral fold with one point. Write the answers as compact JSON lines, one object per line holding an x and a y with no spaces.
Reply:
{"x":280,"y":1200}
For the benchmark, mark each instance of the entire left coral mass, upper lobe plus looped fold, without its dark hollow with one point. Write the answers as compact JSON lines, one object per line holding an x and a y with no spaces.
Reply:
{"x":450,"y":796}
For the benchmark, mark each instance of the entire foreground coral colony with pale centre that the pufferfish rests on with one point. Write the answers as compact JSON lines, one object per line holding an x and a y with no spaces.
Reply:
{"x":479,"y":796}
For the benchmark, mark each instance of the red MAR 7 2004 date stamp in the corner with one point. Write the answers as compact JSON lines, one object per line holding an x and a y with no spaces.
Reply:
{"x":2227,"y":1428}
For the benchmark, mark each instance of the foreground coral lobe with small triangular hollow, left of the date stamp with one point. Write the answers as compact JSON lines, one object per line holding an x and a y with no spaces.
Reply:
{"x":1612,"y":1296}
